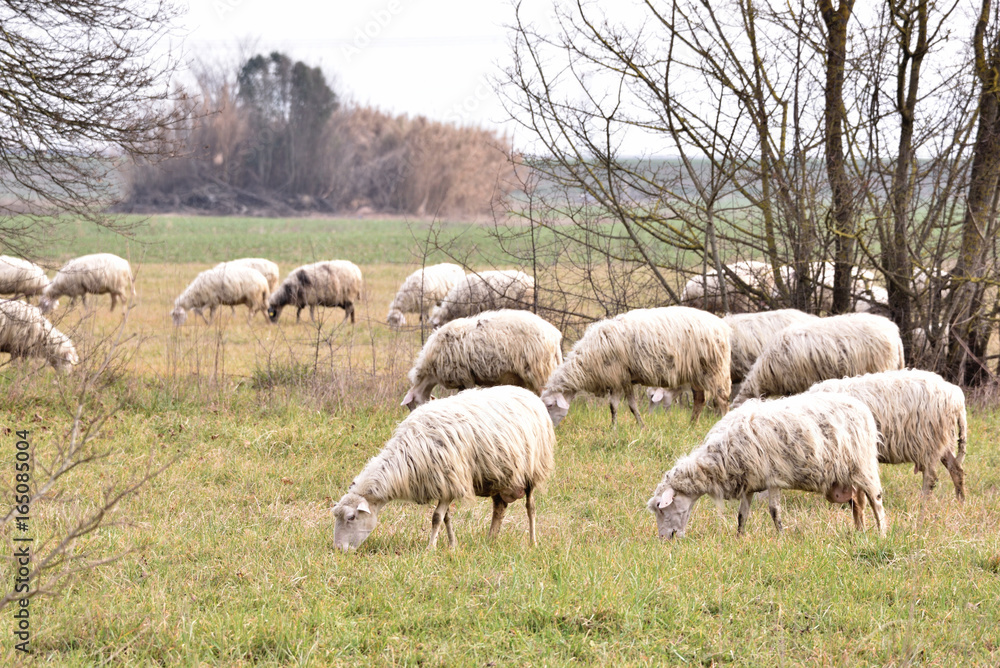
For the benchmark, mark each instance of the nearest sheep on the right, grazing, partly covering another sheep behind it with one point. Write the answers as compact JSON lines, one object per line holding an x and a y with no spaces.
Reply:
{"x":824,"y":443}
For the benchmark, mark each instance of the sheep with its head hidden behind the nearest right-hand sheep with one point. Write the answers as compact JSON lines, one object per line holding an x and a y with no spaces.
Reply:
{"x":920,"y":417}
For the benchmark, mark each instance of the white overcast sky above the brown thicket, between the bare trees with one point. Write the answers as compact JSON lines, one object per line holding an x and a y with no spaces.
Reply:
{"x":435,"y":58}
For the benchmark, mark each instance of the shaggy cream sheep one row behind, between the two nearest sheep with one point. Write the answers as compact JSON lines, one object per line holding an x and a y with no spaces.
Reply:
{"x":662,"y":347}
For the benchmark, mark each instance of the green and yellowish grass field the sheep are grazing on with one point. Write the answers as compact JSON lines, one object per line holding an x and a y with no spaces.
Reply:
{"x":228,"y":552}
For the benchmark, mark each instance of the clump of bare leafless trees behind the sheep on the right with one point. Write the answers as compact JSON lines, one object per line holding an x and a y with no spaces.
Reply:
{"x":793,"y":134}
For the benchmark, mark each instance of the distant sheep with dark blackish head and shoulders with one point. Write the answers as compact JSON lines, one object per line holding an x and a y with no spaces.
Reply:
{"x":332,"y":283}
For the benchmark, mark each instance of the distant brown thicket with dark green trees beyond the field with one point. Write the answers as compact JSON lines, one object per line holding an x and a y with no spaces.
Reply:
{"x":274,"y":138}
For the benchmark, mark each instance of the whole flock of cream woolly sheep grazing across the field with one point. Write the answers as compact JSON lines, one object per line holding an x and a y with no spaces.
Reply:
{"x":821,"y":401}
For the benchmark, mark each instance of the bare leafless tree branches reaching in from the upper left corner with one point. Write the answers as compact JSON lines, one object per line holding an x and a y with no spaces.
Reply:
{"x":82,"y":84}
